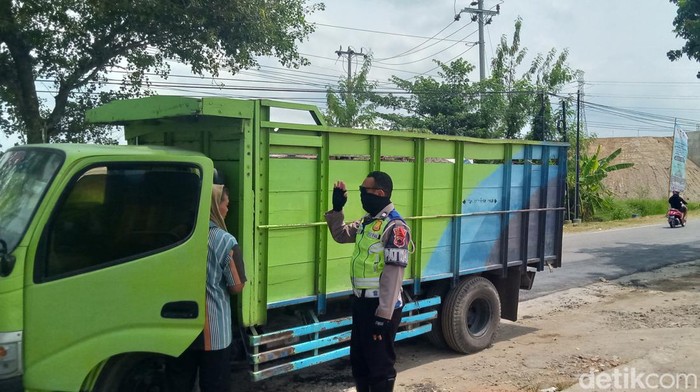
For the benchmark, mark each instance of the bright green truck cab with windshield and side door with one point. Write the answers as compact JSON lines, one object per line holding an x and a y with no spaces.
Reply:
{"x":85,"y":232}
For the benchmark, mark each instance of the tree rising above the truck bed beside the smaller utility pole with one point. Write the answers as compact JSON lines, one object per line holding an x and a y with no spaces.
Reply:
{"x":351,"y":106}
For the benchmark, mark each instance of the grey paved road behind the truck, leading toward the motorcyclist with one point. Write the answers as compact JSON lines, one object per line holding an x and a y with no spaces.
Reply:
{"x":609,"y":254}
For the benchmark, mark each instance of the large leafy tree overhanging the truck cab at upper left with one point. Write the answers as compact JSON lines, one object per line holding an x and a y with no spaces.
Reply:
{"x":70,"y":46}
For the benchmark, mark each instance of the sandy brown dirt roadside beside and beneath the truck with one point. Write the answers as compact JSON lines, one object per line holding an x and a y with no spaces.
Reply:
{"x":647,"y":322}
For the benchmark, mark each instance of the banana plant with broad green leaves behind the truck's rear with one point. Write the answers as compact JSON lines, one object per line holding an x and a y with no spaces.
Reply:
{"x":593,"y":170}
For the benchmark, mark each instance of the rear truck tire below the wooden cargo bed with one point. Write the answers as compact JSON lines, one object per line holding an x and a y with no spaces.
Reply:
{"x":470,"y":315}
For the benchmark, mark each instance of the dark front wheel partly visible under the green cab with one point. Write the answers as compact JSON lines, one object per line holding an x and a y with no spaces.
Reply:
{"x":133,"y":373}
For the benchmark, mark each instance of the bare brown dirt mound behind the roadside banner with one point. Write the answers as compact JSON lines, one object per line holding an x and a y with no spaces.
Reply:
{"x":649,"y":177}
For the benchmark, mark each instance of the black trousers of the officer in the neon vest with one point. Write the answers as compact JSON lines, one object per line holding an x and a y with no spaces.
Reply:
{"x":372,"y":360}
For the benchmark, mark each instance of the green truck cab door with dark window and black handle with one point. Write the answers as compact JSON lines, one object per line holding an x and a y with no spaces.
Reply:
{"x":119,"y":267}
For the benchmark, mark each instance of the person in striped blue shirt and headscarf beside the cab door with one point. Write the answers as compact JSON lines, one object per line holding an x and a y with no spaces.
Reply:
{"x":210,"y":353}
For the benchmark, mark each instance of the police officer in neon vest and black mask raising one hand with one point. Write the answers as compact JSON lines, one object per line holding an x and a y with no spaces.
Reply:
{"x":382,"y":241}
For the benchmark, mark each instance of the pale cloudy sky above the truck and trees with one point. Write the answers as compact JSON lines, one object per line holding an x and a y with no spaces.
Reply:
{"x":629,"y":86}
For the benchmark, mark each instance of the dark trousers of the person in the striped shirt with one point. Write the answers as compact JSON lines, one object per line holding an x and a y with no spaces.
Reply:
{"x":214,"y":370}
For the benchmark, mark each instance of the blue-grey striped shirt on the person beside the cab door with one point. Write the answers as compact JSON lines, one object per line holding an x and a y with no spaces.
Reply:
{"x":221,"y":272}
